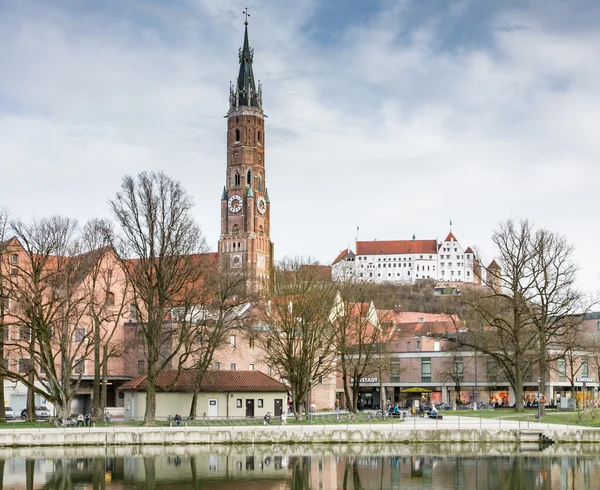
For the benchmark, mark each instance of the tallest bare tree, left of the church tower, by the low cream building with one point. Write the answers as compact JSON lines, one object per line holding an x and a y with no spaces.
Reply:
{"x":159,"y":244}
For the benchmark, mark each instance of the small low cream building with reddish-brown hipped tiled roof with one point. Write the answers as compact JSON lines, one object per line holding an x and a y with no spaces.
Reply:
{"x":222,"y":394}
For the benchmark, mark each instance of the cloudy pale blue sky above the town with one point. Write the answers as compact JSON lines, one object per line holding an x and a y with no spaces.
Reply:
{"x":392,"y":116}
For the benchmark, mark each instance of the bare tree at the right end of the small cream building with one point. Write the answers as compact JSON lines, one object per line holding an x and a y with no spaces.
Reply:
{"x":300,"y":341}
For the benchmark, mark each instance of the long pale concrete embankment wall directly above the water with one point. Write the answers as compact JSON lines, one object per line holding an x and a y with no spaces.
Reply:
{"x":116,"y":435}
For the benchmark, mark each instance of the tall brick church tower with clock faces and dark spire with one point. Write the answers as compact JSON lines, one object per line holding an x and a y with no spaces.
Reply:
{"x":245,"y":244}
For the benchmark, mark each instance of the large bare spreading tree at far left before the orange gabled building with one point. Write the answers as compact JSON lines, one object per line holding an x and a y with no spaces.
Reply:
{"x":47,"y":307}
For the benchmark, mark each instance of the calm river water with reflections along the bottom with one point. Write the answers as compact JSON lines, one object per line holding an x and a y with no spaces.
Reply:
{"x":402,"y":466}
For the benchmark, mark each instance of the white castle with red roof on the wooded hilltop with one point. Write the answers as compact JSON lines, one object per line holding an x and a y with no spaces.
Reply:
{"x":407,"y":261}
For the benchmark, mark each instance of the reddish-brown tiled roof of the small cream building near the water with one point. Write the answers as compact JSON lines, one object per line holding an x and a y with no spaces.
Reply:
{"x":213,"y":381}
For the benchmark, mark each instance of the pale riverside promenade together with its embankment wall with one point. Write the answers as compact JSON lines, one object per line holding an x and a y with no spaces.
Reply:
{"x":452,"y":429}
